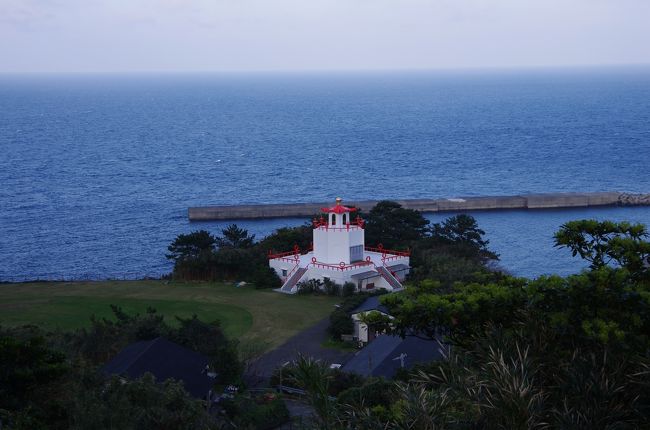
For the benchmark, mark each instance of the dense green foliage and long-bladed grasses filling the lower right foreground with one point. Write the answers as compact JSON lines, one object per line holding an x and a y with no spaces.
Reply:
{"x":551,"y":352}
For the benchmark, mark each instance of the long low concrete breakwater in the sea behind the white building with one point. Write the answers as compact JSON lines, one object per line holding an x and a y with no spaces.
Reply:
{"x":526,"y":201}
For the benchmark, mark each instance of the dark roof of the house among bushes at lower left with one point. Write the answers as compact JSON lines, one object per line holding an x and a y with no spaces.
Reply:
{"x":164,"y":360}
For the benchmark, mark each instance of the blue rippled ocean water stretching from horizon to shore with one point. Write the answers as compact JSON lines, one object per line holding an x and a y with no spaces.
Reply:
{"x":97,"y":172}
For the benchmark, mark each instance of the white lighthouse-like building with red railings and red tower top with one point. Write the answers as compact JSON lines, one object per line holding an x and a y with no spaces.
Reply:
{"x":339,"y":254}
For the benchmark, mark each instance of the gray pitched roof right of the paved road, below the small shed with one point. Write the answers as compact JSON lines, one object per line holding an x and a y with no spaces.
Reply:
{"x":381,"y":356}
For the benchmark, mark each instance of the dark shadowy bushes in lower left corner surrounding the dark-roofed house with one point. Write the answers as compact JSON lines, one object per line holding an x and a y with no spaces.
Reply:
{"x":51,"y":380}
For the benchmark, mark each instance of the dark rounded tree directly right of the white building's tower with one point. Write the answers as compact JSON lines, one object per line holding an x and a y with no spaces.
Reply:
{"x":389,"y":224}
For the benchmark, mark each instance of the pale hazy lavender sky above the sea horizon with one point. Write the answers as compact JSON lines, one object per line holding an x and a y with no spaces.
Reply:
{"x":298,"y":35}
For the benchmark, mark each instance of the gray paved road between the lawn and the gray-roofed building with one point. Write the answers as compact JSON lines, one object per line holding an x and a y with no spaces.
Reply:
{"x":307,"y":342}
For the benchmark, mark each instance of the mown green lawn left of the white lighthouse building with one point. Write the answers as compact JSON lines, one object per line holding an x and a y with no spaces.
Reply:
{"x":254,"y":316}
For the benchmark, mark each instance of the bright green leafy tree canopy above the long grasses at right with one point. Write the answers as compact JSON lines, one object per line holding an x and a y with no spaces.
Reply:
{"x":605,"y":306}
